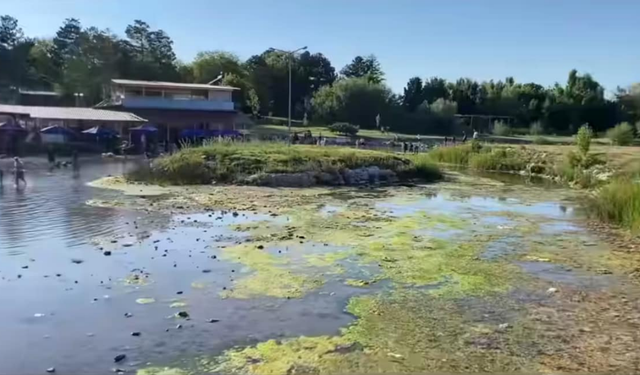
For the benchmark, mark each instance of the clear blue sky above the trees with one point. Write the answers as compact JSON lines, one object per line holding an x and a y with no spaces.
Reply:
{"x":536,"y":41}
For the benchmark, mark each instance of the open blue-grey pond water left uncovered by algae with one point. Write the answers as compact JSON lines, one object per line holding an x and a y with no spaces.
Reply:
{"x":71,"y":315}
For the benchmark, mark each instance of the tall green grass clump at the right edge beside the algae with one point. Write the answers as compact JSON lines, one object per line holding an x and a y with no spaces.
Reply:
{"x":618,"y":203}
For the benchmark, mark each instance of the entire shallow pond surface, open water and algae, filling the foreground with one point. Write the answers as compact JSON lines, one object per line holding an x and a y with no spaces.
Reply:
{"x":463,"y":276}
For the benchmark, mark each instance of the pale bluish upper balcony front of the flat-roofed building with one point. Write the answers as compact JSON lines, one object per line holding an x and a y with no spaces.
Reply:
{"x":177,"y":104}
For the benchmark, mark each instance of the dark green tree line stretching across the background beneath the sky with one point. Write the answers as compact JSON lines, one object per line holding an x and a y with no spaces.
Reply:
{"x":81,"y":59}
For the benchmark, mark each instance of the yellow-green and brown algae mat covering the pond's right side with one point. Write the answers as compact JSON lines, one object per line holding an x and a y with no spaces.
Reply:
{"x":433,"y":282}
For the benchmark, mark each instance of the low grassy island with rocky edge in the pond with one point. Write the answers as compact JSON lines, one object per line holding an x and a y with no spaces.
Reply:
{"x":233,"y":162}
